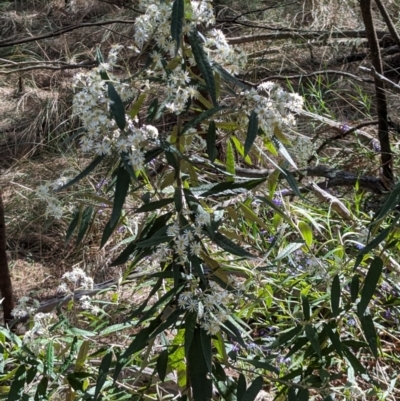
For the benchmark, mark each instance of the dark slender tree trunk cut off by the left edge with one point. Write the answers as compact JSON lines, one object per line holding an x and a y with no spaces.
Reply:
{"x":5,"y":279}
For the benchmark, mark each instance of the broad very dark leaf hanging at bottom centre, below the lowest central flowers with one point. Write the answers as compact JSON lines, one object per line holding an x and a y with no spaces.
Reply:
{"x":198,"y":370}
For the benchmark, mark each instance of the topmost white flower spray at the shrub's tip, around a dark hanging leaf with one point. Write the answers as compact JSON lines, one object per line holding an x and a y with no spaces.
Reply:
{"x":155,"y":24}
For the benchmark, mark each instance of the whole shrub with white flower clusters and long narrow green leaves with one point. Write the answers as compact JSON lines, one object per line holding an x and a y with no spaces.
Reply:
{"x":207,"y":249}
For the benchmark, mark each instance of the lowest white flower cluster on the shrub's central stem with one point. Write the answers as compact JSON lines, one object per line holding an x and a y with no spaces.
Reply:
{"x":212,"y":305}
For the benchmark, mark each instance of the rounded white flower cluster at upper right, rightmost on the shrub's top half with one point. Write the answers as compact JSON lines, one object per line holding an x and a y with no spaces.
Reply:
{"x":274,"y":106}
